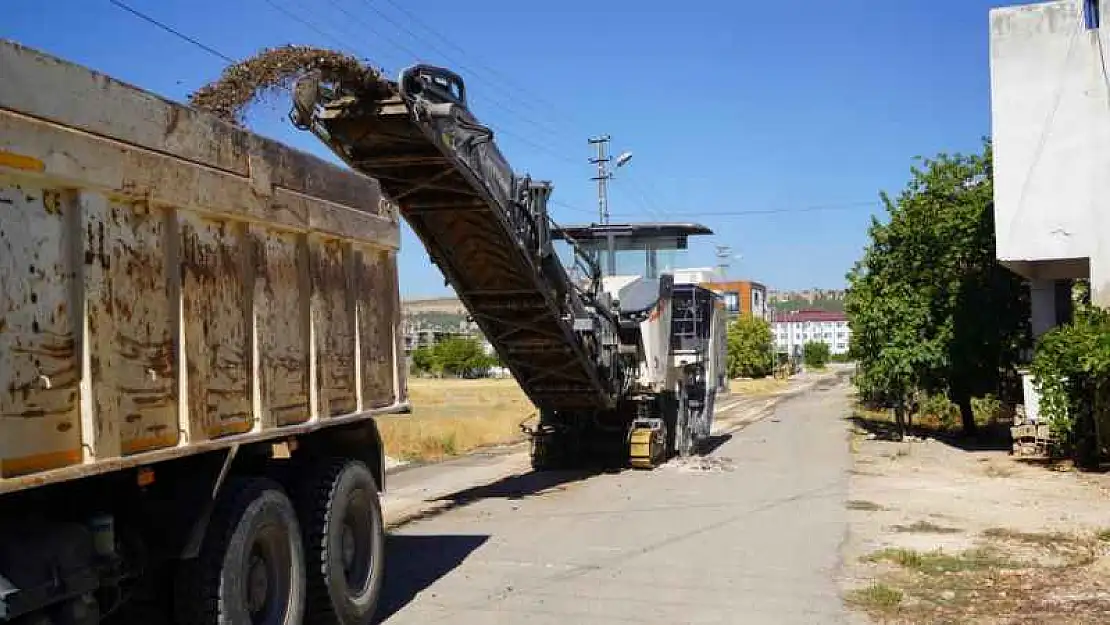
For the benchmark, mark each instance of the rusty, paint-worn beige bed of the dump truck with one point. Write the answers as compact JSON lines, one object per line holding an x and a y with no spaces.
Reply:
{"x":170,"y":285}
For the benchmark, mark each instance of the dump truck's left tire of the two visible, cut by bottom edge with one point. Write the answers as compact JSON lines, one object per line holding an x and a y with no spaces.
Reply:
{"x":251,"y":563}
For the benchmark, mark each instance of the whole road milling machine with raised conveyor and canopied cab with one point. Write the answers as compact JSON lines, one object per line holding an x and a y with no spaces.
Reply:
{"x":622,"y":364}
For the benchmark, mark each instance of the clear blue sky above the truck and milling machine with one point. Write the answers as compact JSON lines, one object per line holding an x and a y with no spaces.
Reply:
{"x":808,"y":109}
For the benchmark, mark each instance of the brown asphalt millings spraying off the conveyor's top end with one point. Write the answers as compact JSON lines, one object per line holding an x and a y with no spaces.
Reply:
{"x":275,"y":70}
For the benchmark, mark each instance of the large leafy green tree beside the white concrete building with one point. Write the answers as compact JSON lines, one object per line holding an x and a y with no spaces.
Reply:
{"x":930,"y":306}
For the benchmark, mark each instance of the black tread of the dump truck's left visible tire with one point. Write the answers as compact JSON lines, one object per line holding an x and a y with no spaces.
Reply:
{"x":199,"y":580}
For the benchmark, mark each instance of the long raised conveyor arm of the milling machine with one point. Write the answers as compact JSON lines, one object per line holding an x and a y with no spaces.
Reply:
{"x":483,"y":227}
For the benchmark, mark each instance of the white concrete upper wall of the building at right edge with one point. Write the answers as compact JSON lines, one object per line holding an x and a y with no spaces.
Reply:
{"x":1051,"y":108}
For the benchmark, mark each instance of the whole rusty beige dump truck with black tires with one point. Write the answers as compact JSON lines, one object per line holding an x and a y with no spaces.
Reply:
{"x":198,"y":329}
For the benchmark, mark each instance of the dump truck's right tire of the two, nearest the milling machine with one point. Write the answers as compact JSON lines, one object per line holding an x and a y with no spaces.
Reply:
{"x":345,"y":542}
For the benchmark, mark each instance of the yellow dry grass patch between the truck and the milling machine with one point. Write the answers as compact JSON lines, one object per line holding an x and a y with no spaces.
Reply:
{"x":456,"y":417}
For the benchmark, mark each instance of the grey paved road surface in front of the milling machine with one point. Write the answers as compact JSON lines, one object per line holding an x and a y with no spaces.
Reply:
{"x":751,"y":535}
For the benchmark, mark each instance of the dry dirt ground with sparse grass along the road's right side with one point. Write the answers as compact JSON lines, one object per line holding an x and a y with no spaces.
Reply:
{"x":941,"y":533}
